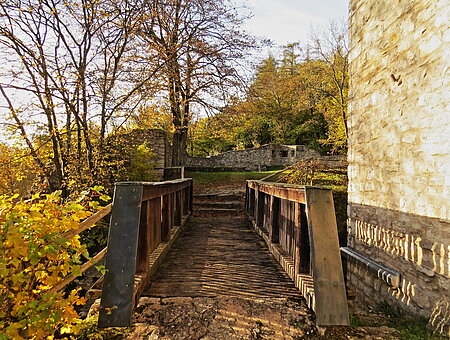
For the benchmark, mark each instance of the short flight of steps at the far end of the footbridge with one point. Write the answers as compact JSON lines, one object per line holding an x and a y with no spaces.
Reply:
{"x":218,"y":204}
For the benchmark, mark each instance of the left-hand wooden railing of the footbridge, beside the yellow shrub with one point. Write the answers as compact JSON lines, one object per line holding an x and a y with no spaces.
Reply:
{"x":146,"y":218}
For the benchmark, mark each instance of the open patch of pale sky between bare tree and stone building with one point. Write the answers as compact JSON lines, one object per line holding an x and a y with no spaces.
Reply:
{"x":285,"y":21}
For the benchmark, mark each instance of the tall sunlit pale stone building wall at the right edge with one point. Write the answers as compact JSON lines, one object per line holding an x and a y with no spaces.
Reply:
{"x":399,"y":151}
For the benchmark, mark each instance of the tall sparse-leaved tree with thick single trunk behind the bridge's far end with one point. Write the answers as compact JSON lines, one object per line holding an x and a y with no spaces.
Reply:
{"x":200,"y":44}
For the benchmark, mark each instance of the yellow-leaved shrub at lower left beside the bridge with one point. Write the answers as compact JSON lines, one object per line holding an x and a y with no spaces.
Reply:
{"x":34,"y":256}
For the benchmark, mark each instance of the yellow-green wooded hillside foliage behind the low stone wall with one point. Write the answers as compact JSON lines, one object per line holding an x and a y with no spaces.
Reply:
{"x":299,"y":97}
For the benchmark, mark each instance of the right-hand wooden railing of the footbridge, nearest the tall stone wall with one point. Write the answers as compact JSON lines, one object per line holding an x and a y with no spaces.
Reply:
{"x":298,"y":224}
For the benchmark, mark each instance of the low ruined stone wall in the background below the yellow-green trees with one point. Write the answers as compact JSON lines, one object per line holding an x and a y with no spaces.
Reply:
{"x":260,"y":158}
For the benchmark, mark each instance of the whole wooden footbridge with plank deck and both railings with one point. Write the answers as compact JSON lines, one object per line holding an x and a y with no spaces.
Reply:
{"x":155,"y":249}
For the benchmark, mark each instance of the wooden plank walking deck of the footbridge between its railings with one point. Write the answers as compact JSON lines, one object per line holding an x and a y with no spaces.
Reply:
{"x":220,"y":256}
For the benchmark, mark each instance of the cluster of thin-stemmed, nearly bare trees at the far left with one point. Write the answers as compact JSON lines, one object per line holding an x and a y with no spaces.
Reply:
{"x":72,"y":74}
